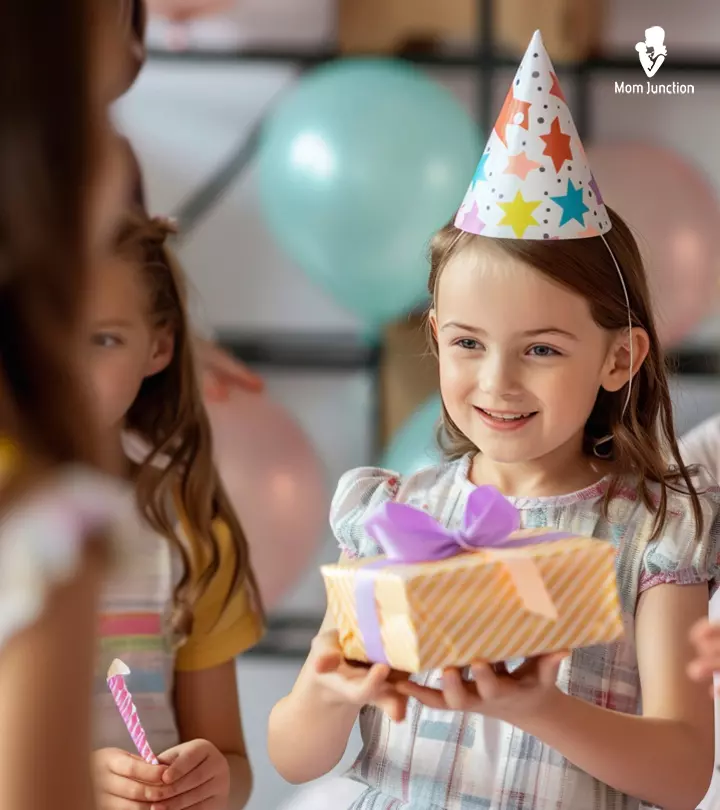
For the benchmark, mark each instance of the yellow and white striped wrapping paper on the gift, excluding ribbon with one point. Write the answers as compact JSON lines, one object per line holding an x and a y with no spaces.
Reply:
{"x":471,"y":607}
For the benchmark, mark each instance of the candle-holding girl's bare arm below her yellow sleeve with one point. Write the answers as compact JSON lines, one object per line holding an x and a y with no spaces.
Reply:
{"x":207,"y":708}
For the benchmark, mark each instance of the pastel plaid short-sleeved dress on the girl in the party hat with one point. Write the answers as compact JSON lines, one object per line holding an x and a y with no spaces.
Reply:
{"x":464,"y":761}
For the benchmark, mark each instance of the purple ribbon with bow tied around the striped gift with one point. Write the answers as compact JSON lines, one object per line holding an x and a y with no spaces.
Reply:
{"x":409,"y":535}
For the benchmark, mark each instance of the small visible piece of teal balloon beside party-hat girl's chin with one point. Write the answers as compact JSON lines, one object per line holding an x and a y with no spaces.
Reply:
{"x":415,"y":446}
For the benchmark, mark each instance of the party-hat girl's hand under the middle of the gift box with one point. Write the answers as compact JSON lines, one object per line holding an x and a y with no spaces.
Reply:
{"x":501,"y":695}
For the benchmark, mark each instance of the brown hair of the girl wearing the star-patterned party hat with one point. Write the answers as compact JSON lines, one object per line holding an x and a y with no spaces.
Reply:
{"x":643,"y":434}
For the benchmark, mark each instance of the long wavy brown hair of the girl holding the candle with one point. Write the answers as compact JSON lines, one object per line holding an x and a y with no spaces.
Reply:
{"x":169,"y":416}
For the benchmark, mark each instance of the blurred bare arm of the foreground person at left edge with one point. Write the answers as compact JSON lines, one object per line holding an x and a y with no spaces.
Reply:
{"x":45,"y":686}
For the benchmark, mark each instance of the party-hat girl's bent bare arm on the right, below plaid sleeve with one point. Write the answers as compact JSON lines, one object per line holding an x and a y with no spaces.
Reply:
{"x":664,"y":757}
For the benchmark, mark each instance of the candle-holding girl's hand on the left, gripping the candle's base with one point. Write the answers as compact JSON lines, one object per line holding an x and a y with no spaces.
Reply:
{"x":125,"y":781}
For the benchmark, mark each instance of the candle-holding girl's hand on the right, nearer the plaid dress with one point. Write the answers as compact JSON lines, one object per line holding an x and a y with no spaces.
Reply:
{"x":198,"y":777}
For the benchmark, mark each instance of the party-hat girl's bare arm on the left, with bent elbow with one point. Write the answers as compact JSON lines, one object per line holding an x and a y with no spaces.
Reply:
{"x":308,"y":731}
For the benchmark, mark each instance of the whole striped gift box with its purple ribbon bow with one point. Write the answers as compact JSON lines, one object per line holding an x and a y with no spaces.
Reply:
{"x":519,"y":593}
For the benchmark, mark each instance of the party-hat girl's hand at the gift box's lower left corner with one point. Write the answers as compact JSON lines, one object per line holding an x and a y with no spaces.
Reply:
{"x":356,"y":684}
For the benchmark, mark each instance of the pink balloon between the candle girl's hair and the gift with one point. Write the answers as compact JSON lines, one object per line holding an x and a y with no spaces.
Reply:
{"x":276,"y":484}
